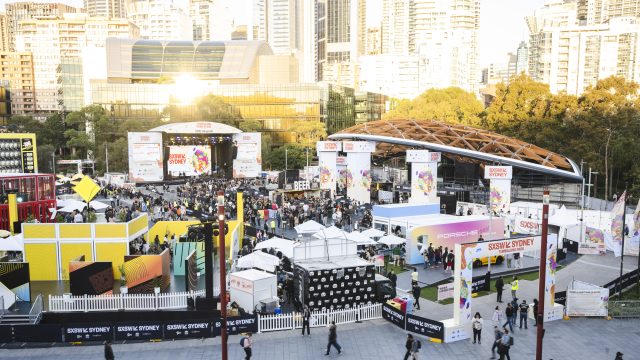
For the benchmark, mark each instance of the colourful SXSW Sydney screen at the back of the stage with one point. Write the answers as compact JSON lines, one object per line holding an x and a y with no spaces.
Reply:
{"x":190,"y":160}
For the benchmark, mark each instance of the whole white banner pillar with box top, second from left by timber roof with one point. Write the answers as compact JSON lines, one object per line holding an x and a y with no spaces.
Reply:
{"x":358,"y":176}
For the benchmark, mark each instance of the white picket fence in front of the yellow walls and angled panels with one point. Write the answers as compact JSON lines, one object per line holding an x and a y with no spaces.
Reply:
{"x":86,"y":303}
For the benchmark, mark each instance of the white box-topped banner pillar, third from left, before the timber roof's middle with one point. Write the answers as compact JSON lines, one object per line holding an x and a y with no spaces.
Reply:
{"x":424,"y":175}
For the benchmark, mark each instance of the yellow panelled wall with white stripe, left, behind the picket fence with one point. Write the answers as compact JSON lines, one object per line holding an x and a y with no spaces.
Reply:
{"x":50,"y":247}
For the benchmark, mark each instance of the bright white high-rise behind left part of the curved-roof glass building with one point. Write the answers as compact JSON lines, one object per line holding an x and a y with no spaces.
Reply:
{"x":160,"y":19}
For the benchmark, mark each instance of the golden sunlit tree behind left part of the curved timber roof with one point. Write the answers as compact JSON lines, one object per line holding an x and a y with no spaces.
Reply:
{"x":452,"y":105}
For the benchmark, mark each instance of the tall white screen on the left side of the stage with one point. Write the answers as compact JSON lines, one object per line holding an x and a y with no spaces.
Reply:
{"x":145,"y":157}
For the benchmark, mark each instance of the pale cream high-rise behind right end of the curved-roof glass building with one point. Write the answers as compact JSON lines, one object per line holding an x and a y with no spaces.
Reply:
{"x":277,"y":23}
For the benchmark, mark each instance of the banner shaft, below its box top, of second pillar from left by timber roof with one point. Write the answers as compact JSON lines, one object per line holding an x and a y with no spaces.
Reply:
{"x":358,"y":177}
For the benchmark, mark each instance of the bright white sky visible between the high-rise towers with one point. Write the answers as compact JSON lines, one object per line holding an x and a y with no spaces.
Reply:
{"x":502,"y":24}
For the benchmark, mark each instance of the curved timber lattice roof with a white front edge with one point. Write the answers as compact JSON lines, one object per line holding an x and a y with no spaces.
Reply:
{"x":464,"y":142}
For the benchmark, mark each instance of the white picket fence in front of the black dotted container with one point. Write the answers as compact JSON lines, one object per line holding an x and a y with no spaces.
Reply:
{"x":319,"y":318}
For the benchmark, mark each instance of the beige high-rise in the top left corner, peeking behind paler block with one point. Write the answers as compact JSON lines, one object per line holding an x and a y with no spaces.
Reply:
{"x":20,"y":11}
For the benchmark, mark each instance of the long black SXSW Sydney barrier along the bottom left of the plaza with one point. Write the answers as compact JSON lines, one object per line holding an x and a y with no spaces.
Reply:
{"x":134,"y":330}
